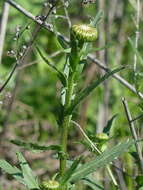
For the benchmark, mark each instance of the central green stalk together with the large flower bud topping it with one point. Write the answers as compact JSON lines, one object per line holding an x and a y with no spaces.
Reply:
{"x":79,"y":35}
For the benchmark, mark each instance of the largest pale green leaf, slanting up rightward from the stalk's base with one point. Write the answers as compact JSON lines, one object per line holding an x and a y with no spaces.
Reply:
{"x":105,"y":158}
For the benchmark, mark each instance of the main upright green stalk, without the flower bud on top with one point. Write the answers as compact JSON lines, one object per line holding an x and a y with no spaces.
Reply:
{"x":73,"y":62}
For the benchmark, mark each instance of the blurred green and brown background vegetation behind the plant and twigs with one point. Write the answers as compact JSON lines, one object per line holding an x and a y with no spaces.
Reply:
{"x":30,"y":102}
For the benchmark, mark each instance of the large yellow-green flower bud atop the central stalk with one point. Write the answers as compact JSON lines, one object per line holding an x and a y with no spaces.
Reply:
{"x":84,"y":32}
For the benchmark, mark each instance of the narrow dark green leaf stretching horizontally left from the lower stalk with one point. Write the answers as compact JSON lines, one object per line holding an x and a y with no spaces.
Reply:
{"x":34,"y":146}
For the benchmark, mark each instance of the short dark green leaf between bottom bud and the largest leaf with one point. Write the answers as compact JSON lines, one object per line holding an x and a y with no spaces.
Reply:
{"x":70,"y":171}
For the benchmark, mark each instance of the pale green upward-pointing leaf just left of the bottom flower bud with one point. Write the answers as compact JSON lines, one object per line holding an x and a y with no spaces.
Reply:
{"x":28,"y":176}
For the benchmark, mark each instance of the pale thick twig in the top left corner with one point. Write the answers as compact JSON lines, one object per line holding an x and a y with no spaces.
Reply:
{"x":3,"y":25}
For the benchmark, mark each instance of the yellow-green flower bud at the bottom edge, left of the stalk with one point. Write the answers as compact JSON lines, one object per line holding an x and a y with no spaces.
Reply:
{"x":50,"y":185}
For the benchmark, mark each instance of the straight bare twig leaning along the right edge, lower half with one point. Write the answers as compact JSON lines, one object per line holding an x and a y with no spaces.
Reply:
{"x":133,"y":132}
